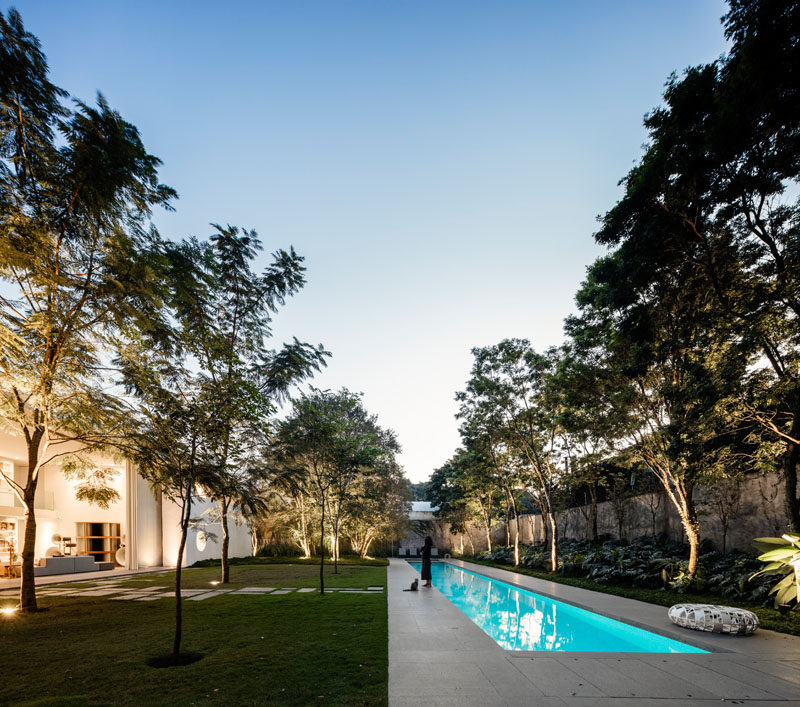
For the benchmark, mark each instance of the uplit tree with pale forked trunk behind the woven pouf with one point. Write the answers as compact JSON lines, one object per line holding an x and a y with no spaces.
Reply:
{"x":678,"y":369}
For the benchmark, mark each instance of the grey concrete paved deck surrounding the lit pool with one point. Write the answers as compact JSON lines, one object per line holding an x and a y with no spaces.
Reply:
{"x":437,"y":656}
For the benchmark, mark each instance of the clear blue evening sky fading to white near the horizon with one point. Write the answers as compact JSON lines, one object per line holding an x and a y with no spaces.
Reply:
{"x":440,"y":165}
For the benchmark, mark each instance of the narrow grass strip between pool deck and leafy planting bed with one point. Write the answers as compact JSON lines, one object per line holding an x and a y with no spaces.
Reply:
{"x":770,"y":618}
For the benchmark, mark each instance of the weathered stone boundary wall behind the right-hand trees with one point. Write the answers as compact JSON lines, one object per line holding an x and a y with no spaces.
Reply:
{"x":757,"y":512}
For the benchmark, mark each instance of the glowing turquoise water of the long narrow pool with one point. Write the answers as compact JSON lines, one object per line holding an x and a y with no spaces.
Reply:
{"x":519,"y":620}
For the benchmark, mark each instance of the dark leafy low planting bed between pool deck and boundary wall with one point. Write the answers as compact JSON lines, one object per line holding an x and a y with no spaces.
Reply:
{"x":654,"y":572}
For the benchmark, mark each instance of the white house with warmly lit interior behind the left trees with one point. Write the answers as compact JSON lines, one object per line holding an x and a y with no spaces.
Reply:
{"x":139,"y":530}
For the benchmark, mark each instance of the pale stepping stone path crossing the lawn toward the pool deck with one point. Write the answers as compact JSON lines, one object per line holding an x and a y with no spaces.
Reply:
{"x":111,"y":590}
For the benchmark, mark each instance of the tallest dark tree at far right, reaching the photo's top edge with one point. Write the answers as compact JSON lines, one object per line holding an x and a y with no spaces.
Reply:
{"x":716,"y":190}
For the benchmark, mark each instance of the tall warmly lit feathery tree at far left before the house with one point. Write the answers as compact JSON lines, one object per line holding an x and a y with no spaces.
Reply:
{"x":76,"y":191}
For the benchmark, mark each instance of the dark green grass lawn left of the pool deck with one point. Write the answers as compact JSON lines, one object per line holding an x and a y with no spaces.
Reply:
{"x":293,"y":649}
